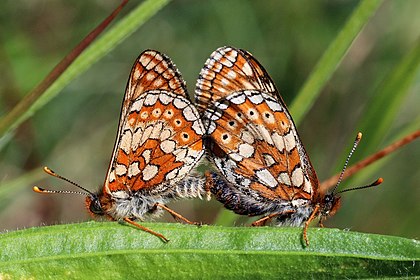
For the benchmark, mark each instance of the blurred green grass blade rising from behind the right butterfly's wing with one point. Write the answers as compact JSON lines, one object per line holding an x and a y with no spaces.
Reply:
{"x":332,"y":58}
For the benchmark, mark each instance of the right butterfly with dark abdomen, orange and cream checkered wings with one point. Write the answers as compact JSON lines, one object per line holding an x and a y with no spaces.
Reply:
{"x":263,"y":168}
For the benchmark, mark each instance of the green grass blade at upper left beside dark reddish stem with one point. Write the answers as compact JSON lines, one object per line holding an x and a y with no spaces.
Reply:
{"x":96,"y":50}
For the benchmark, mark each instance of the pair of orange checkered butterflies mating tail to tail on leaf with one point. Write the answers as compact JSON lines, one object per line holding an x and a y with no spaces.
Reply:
{"x":243,"y":121}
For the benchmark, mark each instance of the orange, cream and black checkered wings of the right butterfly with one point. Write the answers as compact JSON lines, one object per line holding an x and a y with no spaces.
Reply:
{"x":253,"y":140}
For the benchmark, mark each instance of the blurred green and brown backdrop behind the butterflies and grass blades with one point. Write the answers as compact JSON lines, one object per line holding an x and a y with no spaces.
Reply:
{"x":74,"y":133}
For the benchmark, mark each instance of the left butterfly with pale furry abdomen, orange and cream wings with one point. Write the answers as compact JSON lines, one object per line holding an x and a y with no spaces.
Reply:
{"x":158,"y":144}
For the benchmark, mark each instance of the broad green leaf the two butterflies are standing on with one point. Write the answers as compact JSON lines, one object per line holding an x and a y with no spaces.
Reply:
{"x":110,"y":250}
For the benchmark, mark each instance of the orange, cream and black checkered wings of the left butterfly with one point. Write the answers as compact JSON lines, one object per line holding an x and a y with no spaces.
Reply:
{"x":159,"y":136}
